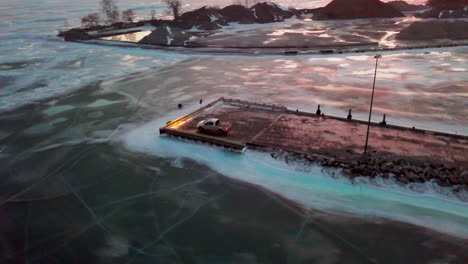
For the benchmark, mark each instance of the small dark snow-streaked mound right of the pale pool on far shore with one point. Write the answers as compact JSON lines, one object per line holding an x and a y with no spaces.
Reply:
{"x":167,"y":36}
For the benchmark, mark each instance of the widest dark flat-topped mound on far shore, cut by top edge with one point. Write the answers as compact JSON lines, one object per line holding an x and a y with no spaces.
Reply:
{"x":354,"y":9}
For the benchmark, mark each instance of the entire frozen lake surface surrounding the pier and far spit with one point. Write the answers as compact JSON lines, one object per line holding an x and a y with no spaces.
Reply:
{"x":86,"y":178}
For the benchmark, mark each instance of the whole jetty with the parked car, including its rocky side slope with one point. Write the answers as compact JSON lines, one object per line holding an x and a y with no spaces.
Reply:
{"x":404,"y":153}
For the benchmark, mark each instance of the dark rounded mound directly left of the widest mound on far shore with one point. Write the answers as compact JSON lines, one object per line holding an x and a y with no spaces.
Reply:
{"x":269,"y":12}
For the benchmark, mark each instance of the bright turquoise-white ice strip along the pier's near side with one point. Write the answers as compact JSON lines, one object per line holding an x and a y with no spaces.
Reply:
{"x":312,"y":187}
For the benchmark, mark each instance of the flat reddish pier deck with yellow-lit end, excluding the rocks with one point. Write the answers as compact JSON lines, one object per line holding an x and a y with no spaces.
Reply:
{"x":274,"y":127}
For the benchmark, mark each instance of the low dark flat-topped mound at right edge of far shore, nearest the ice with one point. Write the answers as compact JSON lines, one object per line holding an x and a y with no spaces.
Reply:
{"x":430,"y":30}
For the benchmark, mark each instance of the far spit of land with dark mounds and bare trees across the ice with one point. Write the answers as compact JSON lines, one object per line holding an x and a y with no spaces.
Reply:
{"x":212,"y":30}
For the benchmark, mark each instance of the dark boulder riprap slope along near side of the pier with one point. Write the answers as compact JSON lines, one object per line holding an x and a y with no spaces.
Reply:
{"x":402,"y":169}
